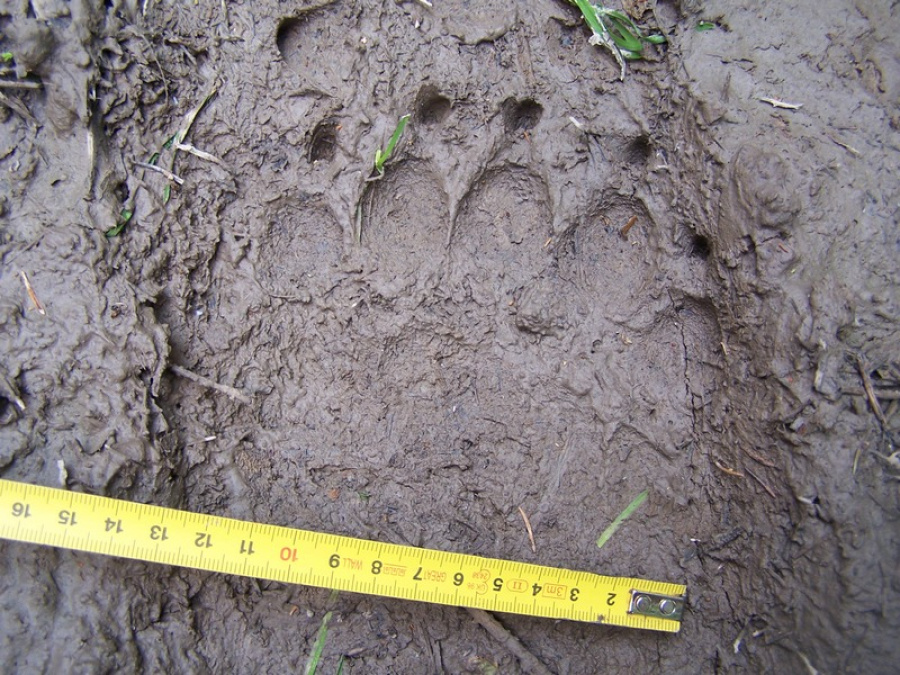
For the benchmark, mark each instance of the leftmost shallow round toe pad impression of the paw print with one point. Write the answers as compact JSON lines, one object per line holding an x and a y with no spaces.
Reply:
{"x":299,"y":248}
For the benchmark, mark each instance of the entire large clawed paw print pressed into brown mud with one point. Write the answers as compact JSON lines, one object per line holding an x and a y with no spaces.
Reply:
{"x":467,"y":376}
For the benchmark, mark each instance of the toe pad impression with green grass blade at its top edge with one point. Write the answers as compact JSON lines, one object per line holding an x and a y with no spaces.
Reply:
{"x":405,"y":221}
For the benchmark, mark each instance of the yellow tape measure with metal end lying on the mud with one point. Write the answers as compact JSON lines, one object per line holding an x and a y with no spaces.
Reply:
{"x":125,"y":529}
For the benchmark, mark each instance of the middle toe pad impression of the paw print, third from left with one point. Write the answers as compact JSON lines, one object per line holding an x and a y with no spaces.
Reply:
{"x":499,"y":240}
